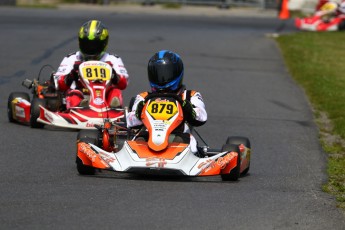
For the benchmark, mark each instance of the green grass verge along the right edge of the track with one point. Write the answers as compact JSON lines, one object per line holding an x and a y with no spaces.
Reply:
{"x":317,"y":62}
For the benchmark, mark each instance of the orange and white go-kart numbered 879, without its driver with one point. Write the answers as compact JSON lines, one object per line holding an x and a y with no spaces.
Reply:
{"x":161,"y":150}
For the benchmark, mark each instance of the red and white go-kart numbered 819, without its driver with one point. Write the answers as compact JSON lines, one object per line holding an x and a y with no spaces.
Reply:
{"x":47,"y":106}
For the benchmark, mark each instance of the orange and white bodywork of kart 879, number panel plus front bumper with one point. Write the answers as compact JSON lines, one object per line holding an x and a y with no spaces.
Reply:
{"x":158,"y":155}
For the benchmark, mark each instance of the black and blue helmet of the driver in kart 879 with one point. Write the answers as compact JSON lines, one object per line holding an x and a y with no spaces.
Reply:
{"x":165,"y":71}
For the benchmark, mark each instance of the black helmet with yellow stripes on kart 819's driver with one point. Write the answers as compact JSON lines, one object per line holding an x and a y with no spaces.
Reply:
{"x":93,"y":40}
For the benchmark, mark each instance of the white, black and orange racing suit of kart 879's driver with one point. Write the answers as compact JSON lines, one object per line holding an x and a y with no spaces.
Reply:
{"x":198,"y":106}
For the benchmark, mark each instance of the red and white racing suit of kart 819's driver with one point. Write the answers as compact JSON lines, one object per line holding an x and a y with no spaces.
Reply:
{"x":66,"y":79}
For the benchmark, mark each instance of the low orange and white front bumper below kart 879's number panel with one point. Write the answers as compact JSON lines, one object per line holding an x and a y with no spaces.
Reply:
{"x":176,"y":159}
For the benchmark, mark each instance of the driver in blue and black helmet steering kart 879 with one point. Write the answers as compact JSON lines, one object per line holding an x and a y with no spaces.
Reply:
{"x":165,"y":73}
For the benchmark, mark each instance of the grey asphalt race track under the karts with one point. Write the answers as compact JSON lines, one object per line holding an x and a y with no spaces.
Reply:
{"x":247,"y":91}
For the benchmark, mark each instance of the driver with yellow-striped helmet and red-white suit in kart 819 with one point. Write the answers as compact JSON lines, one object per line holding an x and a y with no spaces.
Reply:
{"x":93,"y":41}
